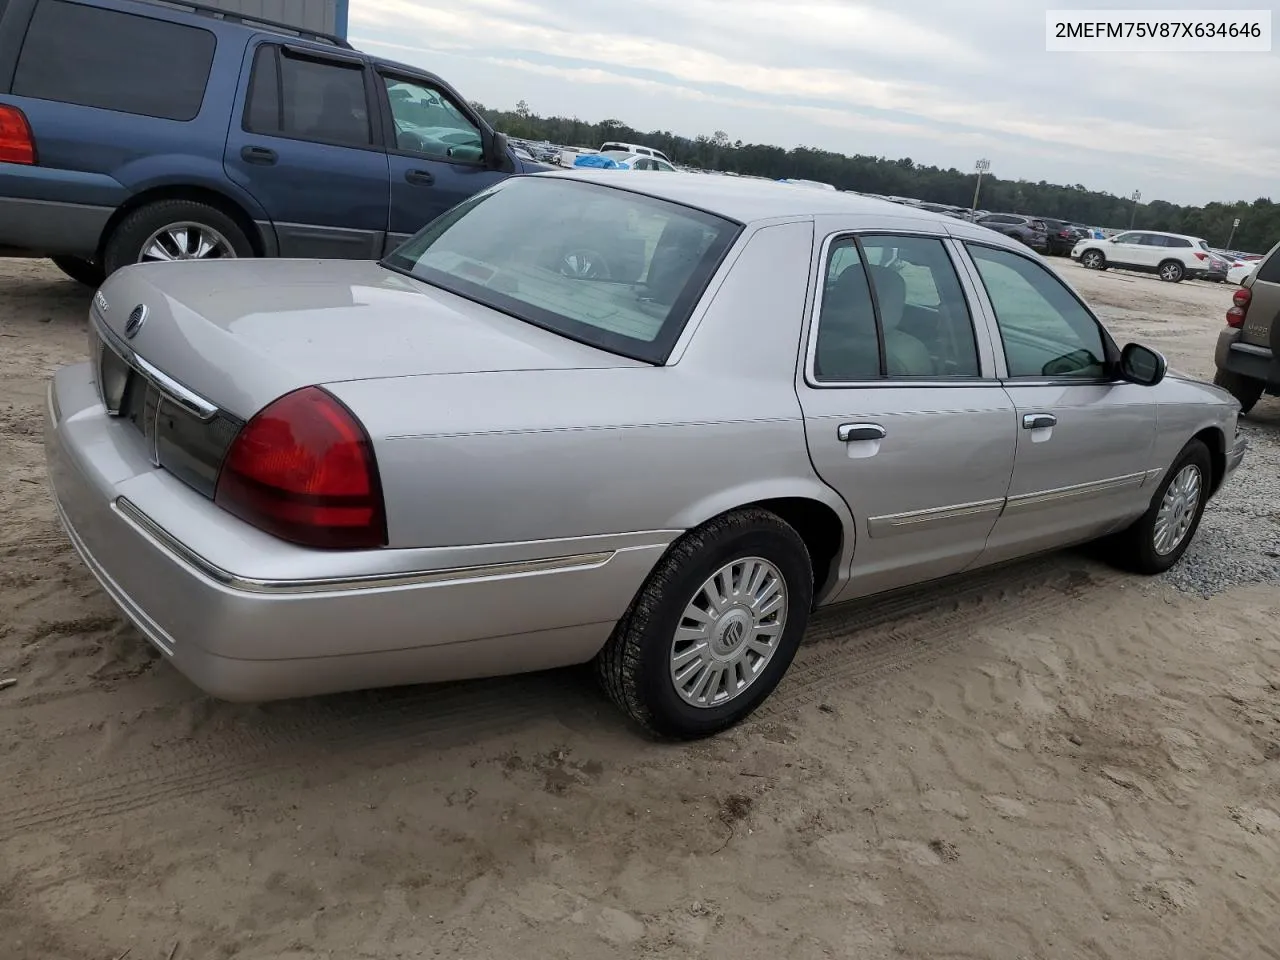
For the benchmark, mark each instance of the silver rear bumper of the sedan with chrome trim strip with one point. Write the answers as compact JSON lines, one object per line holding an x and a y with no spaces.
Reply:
{"x":241,"y":636}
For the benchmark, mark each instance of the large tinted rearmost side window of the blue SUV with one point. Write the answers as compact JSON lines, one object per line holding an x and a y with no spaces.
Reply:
{"x":112,"y":61}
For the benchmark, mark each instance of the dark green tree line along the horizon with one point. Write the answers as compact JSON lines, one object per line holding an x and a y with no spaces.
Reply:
{"x":1259,"y":230}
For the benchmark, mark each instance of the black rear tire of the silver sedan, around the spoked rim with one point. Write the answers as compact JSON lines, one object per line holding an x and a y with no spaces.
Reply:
{"x":636,"y":668}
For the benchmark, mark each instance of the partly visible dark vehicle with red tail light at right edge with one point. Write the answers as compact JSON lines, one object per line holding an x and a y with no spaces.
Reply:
{"x":1249,"y":348}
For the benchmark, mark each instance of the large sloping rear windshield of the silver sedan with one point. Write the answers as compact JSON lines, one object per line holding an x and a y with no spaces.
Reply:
{"x":605,"y":267}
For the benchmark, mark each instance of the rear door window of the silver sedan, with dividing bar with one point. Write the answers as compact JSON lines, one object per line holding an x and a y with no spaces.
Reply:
{"x":920,"y":318}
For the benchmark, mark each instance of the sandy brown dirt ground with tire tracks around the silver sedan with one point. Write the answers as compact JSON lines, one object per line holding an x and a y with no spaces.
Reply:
{"x":1053,"y":761}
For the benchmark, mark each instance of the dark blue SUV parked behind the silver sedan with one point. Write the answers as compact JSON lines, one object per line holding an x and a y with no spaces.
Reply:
{"x":136,"y":131}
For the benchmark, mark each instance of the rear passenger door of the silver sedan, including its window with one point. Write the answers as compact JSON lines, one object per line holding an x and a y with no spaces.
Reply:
{"x":904,"y":415}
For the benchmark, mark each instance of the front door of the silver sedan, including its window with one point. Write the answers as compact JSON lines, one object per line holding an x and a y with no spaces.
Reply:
{"x":1085,"y":438}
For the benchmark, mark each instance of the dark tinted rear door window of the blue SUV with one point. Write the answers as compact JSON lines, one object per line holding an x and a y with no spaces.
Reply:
{"x":304,"y":99}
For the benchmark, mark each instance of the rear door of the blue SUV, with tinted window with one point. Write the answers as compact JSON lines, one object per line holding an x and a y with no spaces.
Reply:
{"x":307,"y":147}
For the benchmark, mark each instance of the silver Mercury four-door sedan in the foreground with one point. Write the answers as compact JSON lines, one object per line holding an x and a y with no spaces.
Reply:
{"x":651,"y":423}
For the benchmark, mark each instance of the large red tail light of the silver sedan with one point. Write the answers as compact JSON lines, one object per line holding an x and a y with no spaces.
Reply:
{"x":304,"y":470}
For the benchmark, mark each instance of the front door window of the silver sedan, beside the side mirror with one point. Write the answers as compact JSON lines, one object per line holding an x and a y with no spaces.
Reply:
{"x":1045,"y":330}
